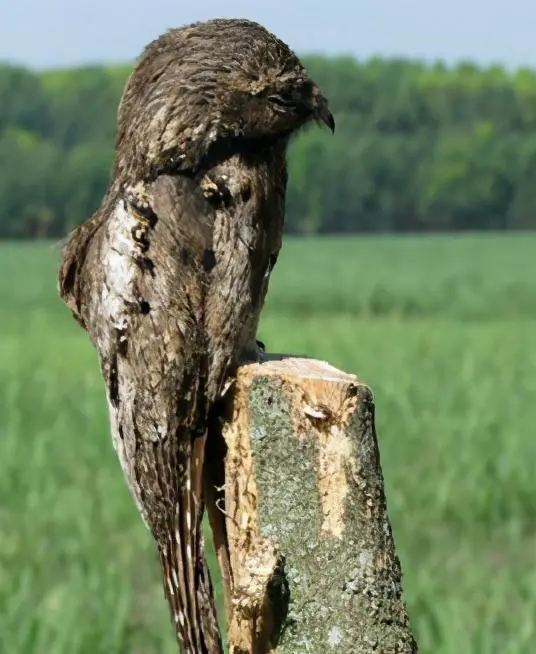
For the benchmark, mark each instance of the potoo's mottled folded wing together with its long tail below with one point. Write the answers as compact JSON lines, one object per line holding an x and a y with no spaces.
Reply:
{"x":136,"y":278}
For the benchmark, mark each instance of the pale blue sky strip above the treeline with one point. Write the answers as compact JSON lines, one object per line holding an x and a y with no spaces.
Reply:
{"x":51,"y":33}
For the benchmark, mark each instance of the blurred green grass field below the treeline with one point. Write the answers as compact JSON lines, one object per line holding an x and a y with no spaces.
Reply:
{"x":443,"y":329}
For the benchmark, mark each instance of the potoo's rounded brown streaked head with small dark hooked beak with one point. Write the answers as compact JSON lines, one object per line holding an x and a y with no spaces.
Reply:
{"x":214,"y":81}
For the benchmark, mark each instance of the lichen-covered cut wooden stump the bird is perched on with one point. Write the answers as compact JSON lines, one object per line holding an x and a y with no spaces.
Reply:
{"x":311,"y":563}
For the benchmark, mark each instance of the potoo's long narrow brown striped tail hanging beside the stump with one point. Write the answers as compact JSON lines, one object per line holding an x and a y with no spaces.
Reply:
{"x":187,"y":580}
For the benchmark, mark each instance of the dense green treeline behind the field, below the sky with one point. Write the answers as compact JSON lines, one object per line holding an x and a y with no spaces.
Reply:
{"x":417,"y":148}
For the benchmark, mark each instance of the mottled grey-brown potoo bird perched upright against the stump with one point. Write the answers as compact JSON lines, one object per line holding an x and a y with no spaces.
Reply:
{"x":169,"y":275}
